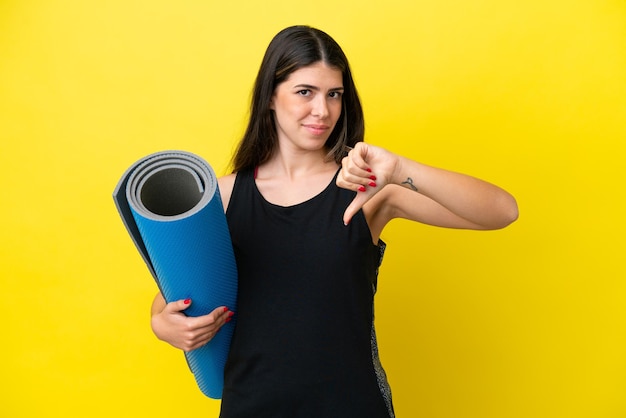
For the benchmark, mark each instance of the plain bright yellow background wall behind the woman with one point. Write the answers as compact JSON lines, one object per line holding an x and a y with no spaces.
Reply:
{"x":524,"y":322}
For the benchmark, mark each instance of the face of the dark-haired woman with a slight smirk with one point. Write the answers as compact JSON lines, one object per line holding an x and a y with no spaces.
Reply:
{"x":307,"y":106}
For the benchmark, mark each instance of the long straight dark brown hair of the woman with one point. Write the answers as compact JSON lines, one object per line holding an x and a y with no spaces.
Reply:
{"x":293,"y":48}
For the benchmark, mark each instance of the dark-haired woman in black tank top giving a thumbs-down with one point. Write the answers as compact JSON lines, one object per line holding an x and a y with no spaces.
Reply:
{"x":306,"y":204}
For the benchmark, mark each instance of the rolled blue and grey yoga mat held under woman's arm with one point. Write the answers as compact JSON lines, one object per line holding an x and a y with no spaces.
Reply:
{"x":171,"y":206}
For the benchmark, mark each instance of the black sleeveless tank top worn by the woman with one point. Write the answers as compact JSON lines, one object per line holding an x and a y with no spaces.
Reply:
{"x":304,"y":345}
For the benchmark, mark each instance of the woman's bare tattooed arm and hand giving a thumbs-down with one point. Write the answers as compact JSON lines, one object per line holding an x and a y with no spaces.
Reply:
{"x":408,"y":189}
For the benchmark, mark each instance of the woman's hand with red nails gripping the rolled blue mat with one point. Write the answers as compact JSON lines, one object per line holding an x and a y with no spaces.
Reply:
{"x":187,"y":333}
